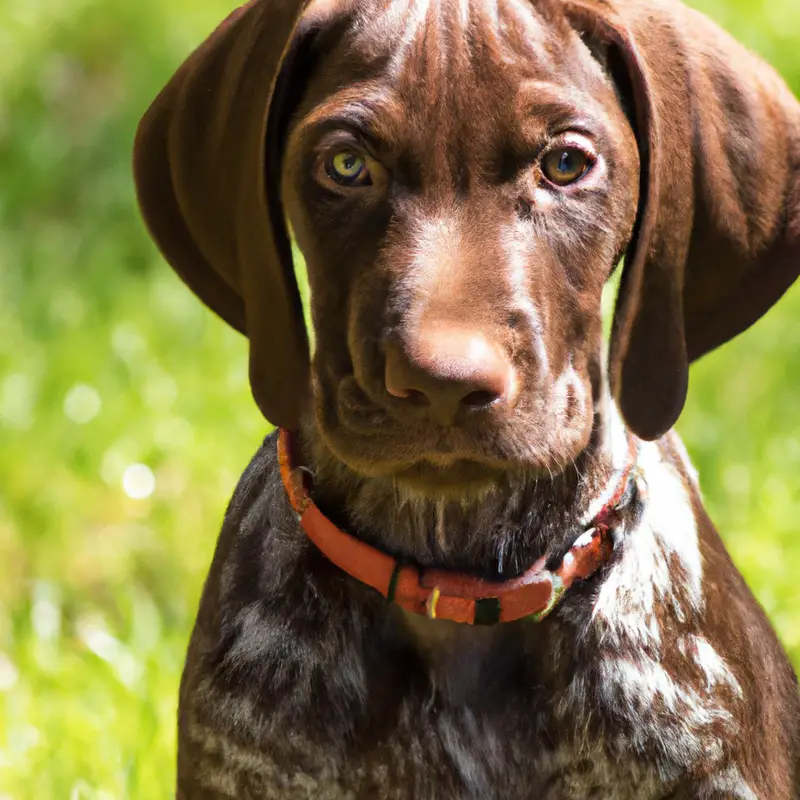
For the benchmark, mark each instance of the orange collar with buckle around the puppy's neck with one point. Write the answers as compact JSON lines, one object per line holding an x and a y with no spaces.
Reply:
{"x":457,"y":596}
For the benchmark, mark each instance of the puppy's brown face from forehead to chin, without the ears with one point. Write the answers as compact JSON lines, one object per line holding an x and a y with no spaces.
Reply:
{"x":461,"y":183}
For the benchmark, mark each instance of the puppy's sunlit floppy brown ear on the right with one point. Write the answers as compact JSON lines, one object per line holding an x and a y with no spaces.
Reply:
{"x":717,"y":240}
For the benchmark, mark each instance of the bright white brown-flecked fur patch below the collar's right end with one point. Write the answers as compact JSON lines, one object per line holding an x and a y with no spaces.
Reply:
{"x":656,"y":579}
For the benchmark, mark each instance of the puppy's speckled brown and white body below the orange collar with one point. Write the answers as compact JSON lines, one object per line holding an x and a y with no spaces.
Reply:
{"x":302,"y":684}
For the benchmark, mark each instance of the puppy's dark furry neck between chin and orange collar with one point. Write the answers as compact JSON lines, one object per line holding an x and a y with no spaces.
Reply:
{"x":497,"y":532}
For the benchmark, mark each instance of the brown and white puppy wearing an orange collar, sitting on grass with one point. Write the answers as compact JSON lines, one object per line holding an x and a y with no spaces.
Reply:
{"x":475,"y":563}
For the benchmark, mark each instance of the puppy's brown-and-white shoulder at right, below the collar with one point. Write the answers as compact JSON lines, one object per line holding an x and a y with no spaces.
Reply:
{"x":674,"y":647}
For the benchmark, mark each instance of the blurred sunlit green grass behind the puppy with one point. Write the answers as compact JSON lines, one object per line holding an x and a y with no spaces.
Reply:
{"x":125,"y":416}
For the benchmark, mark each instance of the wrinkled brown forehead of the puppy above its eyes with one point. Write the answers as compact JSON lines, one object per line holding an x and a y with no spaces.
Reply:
{"x":456,"y":63}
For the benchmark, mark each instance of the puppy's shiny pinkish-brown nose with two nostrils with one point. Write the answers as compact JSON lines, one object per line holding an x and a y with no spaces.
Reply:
{"x":447,"y":370}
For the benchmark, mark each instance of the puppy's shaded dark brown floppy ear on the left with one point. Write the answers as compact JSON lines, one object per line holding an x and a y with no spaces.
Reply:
{"x":207,"y":169}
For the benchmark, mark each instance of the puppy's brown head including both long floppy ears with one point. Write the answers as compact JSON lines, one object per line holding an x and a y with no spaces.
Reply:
{"x":462,"y":177}
